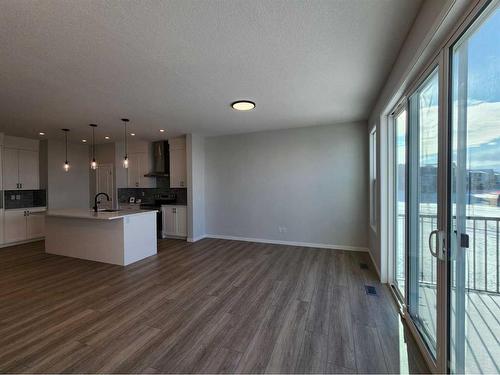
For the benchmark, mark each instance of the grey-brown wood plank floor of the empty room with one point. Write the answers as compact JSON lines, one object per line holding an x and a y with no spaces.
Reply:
{"x":215,"y":306}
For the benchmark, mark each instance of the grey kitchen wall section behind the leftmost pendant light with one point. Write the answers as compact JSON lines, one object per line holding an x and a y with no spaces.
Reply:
{"x":67,"y":189}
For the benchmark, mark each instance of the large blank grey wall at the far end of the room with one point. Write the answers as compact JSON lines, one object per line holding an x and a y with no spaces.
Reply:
{"x":312,"y":181}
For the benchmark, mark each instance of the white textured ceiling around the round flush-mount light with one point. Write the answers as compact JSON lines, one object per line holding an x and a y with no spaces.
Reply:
{"x":179,"y":64}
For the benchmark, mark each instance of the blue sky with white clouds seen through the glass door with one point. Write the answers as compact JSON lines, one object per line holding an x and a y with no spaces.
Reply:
{"x":483,"y":98}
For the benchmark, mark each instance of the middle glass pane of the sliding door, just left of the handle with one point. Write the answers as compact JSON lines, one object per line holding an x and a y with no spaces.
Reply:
{"x":423,"y":207}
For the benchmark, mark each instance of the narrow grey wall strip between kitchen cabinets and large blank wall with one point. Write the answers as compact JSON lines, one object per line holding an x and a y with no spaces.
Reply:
{"x":195,"y":162}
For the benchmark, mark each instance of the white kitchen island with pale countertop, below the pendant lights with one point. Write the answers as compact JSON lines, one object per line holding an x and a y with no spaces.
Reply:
{"x":119,"y":237}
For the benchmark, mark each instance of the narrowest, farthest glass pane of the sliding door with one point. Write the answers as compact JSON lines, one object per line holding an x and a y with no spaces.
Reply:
{"x":400,"y":199}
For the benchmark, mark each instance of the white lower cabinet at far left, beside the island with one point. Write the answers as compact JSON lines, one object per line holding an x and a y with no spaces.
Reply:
{"x":24,"y":224}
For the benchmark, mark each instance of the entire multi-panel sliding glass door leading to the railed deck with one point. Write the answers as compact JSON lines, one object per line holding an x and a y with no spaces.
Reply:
{"x":446,"y":200}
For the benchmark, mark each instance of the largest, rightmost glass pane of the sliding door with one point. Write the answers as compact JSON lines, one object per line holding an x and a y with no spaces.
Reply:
{"x":475,"y":209}
